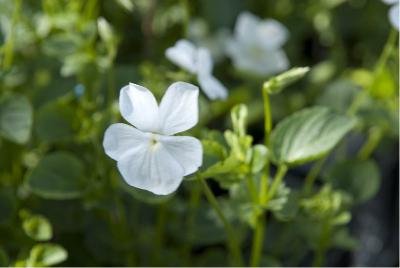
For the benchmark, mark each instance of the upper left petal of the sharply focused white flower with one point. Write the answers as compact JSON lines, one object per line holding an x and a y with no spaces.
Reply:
{"x":139,"y":107}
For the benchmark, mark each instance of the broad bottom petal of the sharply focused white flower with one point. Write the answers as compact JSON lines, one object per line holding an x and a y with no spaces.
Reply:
{"x":153,"y":169}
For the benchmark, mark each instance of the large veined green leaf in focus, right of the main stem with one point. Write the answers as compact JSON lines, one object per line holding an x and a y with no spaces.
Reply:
{"x":308,"y":135}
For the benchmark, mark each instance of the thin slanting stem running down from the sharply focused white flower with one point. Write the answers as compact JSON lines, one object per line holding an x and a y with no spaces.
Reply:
{"x":232,"y":242}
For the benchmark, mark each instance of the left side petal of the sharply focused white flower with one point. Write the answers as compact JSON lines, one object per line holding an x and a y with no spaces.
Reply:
{"x":121,"y":139}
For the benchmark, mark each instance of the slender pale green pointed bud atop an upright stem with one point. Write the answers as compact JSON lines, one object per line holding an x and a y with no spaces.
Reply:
{"x":277,"y":83}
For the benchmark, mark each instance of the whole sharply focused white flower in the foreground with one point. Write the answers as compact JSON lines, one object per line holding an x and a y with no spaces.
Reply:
{"x":148,"y":156}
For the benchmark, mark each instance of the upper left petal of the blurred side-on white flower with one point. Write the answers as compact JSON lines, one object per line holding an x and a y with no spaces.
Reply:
{"x":183,"y":54}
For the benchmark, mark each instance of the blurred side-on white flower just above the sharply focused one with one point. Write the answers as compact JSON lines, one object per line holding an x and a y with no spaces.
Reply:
{"x":197,"y":61}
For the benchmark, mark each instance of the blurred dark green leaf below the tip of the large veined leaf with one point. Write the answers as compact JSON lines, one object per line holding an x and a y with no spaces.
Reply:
{"x":361,"y":179}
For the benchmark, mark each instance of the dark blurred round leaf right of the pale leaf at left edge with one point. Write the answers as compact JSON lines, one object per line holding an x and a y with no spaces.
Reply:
{"x":55,"y":121}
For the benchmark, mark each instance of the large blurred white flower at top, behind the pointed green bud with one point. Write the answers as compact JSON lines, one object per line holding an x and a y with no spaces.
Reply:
{"x":256,"y":46}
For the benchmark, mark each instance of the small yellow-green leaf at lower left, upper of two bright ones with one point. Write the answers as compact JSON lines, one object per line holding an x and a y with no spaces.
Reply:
{"x":37,"y":227}
